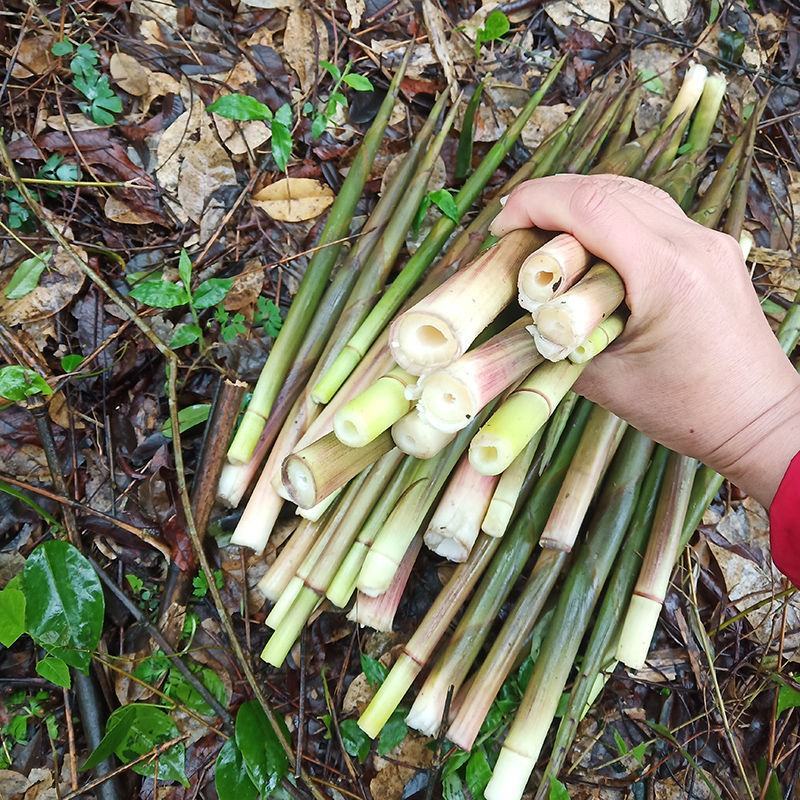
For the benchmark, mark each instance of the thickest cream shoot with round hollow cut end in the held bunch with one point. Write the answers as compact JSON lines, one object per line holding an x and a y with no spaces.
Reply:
{"x":441,"y":327}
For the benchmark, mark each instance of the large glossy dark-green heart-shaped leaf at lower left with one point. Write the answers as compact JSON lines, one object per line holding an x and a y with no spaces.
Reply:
{"x":64,"y":604}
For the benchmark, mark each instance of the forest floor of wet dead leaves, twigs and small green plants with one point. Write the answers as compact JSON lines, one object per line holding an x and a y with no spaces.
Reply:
{"x":103,"y":114}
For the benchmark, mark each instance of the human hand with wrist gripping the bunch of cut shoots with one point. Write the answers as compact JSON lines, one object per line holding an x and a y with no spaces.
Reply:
{"x":697,"y":368}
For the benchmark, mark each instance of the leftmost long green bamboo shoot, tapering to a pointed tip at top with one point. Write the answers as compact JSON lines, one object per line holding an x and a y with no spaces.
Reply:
{"x":315,"y":279}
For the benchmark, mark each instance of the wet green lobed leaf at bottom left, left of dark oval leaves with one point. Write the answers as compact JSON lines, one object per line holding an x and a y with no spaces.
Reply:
{"x":136,"y":729}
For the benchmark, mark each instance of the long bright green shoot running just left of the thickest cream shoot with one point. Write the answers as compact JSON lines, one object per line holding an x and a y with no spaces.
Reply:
{"x":405,"y":282}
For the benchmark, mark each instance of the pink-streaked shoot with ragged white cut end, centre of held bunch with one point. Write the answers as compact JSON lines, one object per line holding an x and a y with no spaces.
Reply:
{"x":451,"y":397}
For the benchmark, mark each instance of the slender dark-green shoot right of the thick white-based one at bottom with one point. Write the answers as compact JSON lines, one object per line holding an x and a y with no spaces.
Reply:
{"x":609,"y":618}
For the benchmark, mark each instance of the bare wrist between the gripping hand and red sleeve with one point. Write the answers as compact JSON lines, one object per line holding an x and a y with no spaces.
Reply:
{"x":758,"y":454}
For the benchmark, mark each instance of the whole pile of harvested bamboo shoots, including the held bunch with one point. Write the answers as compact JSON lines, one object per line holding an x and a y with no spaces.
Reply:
{"x":437,"y":410}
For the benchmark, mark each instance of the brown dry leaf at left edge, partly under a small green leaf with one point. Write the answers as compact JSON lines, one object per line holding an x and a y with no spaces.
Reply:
{"x":59,"y":284}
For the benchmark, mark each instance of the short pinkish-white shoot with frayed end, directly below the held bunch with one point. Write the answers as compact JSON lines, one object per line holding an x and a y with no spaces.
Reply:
{"x":456,"y":522}
